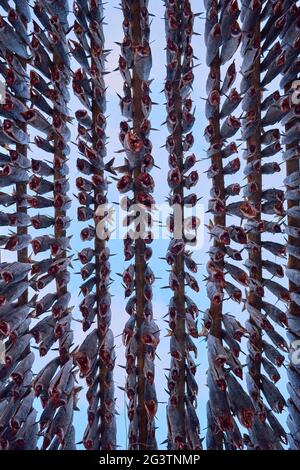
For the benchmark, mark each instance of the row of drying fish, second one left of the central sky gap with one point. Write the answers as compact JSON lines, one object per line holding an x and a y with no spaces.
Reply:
{"x":96,"y":355}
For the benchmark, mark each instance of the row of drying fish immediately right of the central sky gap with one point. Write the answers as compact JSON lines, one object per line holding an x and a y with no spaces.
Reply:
{"x":182,"y":420}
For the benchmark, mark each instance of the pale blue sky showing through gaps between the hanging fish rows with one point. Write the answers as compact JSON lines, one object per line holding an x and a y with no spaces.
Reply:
{"x":113,"y":34}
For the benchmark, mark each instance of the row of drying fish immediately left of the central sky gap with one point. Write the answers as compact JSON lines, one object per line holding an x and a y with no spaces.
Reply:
{"x":141,"y":333}
